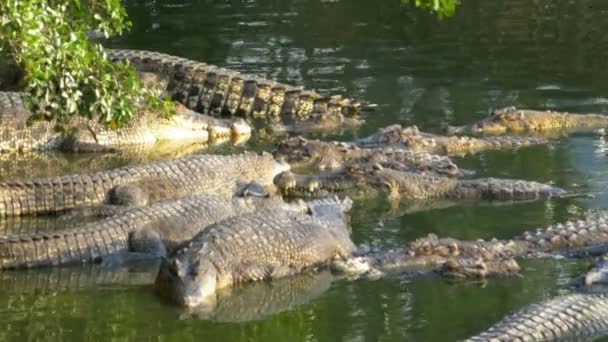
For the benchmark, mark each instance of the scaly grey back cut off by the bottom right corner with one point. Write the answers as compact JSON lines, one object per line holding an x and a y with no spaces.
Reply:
{"x":575,"y":316}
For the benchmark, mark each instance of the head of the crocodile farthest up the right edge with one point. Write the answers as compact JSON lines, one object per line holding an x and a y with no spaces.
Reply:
{"x":508,"y":120}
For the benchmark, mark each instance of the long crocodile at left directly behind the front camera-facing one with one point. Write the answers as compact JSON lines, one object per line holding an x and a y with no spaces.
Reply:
{"x":150,"y":230}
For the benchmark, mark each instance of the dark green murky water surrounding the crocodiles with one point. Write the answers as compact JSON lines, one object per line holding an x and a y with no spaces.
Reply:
{"x":540,"y":54}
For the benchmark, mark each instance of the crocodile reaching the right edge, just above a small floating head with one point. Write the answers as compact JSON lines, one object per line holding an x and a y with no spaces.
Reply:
{"x":572,"y":238}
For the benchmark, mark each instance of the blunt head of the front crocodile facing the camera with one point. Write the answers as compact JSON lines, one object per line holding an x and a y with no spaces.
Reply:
{"x":187,"y":284}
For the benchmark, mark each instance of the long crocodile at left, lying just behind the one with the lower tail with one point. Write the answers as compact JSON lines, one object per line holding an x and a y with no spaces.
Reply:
{"x":140,"y":184}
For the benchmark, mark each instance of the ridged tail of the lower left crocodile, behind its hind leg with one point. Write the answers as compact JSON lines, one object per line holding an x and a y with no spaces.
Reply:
{"x":60,"y":248}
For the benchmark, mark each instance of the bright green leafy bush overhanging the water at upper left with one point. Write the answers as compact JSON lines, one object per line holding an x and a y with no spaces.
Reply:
{"x":65,"y":74}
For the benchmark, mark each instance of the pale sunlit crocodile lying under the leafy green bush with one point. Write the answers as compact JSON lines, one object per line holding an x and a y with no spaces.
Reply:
{"x":20,"y":131}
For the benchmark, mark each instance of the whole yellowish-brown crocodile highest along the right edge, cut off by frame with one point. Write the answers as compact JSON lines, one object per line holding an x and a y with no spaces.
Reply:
{"x":525,"y":121}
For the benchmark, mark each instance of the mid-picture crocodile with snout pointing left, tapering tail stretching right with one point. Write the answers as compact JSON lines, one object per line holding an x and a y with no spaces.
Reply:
{"x":412,"y":185}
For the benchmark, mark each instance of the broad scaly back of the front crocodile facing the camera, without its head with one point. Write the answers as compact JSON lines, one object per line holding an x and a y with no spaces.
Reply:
{"x":266,"y":244}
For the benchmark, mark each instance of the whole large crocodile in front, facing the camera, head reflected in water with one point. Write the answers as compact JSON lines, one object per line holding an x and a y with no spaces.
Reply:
{"x":268,"y":244}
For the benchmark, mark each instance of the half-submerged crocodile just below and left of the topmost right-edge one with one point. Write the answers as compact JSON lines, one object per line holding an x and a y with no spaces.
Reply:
{"x":412,"y":139}
